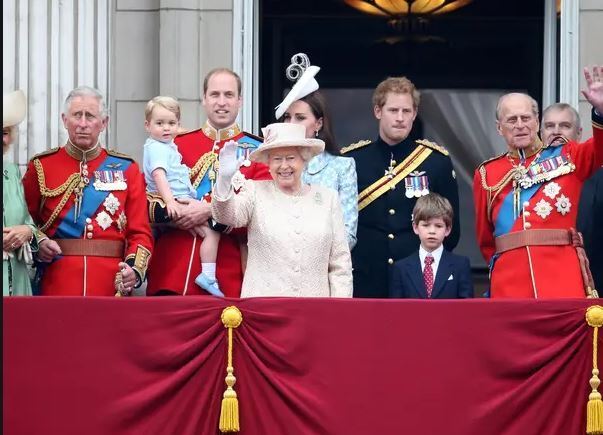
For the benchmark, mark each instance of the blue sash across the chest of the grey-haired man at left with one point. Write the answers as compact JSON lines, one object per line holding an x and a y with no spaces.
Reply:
{"x":92,"y":199}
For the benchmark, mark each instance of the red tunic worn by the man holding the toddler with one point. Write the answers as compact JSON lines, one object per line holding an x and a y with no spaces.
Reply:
{"x":176,"y":261}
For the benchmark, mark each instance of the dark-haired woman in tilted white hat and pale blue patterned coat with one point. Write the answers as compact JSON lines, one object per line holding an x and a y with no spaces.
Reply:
{"x":305,"y":105}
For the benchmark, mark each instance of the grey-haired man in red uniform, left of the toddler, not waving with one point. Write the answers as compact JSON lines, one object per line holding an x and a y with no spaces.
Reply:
{"x":91,"y":205}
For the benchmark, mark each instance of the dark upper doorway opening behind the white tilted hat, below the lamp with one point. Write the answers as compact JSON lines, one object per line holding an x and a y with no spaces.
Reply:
{"x":488,"y":44}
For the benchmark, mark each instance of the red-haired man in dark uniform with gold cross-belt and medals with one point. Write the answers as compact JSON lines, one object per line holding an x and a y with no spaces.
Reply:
{"x":393,"y":172}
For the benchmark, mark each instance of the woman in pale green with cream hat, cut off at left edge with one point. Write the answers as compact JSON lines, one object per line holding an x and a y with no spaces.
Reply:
{"x":17,"y":226}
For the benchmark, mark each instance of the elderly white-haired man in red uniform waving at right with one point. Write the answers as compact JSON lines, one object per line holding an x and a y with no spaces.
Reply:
{"x":526,"y":201}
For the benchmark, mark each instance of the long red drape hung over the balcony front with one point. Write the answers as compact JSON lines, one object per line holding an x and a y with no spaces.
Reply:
{"x":303,"y":366}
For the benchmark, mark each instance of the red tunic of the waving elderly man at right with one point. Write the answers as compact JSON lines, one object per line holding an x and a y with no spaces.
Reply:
{"x":536,"y":271}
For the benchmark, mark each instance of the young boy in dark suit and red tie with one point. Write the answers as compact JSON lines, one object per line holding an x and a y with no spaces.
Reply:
{"x":432,"y":272}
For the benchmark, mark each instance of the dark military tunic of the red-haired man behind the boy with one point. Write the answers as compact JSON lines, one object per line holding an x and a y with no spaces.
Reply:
{"x":385,"y":233}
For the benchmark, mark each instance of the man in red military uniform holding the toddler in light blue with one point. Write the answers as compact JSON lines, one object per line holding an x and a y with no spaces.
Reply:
{"x":176,"y":261}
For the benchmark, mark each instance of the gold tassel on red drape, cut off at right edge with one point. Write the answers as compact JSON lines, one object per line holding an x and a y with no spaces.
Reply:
{"x":594,"y":408}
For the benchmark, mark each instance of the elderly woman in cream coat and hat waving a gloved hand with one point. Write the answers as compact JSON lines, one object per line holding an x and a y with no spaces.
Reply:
{"x":296,"y":236}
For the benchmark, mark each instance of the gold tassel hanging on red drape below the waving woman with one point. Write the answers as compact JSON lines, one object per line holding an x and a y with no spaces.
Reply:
{"x":229,"y":414}
